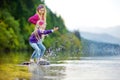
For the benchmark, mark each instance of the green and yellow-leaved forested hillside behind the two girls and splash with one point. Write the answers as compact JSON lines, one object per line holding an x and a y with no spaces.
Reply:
{"x":15,"y":28}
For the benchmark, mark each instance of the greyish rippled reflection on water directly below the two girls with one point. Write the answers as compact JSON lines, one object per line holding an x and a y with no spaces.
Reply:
{"x":46,"y":72}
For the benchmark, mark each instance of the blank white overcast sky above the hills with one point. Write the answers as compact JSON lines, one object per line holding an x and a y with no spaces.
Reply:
{"x":87,"y":15}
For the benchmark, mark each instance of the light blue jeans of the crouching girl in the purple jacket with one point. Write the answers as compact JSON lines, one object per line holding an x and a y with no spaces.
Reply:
{"x":39,"y":49}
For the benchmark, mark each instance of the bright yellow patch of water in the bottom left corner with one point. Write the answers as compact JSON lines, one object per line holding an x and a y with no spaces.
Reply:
{"x":11,"y":72}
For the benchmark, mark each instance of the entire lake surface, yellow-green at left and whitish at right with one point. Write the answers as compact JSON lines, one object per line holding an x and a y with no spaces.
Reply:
{"x":87,"y":68}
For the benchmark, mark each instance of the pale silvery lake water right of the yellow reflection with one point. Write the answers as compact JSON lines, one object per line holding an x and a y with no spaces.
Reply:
{"x":87,"y":68}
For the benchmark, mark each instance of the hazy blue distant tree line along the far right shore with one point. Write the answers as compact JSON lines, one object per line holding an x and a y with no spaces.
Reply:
{"x":93,"y":48}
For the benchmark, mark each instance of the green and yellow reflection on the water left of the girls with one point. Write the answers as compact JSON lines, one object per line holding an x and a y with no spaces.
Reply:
{"x":9,"y":69}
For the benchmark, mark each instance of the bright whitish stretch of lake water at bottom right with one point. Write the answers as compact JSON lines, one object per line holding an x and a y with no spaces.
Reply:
{"x":93,"y":70}
